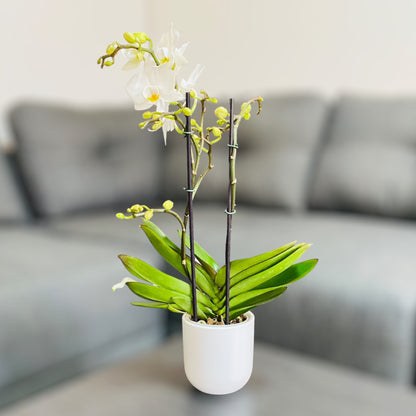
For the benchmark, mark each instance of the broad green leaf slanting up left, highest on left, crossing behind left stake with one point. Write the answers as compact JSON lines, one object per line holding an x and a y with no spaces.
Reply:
{"x":171,"y":253}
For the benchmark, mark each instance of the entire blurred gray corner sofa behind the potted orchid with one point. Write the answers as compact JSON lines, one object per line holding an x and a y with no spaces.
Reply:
{"x":341,"y":175}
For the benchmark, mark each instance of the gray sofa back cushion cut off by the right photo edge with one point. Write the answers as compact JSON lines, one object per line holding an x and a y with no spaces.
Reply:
{"x":369,"y":162}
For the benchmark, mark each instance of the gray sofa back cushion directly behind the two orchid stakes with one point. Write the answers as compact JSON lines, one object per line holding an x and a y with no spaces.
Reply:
{"x":274,"y":157}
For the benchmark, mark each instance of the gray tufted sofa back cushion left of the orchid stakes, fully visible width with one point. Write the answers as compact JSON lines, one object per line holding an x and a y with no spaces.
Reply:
{"x":76,"y":159}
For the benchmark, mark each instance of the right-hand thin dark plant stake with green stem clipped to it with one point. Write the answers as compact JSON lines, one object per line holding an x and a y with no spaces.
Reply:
{"x":232,"y":153}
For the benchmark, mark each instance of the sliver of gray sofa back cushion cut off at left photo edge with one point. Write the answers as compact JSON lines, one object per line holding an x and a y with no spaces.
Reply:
{"x":11,"y":205}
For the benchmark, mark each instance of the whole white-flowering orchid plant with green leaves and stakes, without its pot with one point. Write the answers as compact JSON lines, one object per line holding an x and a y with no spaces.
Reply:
{"x":214,"y":294}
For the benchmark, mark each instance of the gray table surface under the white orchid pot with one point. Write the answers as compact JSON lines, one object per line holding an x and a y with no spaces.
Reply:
{"x":283,"y":383}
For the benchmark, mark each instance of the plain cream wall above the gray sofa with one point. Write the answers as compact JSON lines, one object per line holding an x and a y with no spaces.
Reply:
{"x":49,"y":48}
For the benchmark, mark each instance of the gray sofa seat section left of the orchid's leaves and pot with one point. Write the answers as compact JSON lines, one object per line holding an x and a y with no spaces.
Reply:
{"x":59,"y":316}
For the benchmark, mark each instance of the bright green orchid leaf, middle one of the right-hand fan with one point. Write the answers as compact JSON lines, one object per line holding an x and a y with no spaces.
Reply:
{"x":264,"y":276}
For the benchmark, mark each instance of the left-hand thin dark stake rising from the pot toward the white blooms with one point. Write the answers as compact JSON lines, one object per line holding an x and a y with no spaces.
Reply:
{"x":190,"y":191}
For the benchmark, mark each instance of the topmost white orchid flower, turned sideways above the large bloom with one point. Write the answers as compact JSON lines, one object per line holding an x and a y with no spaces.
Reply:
{"x":168,"y":53}
